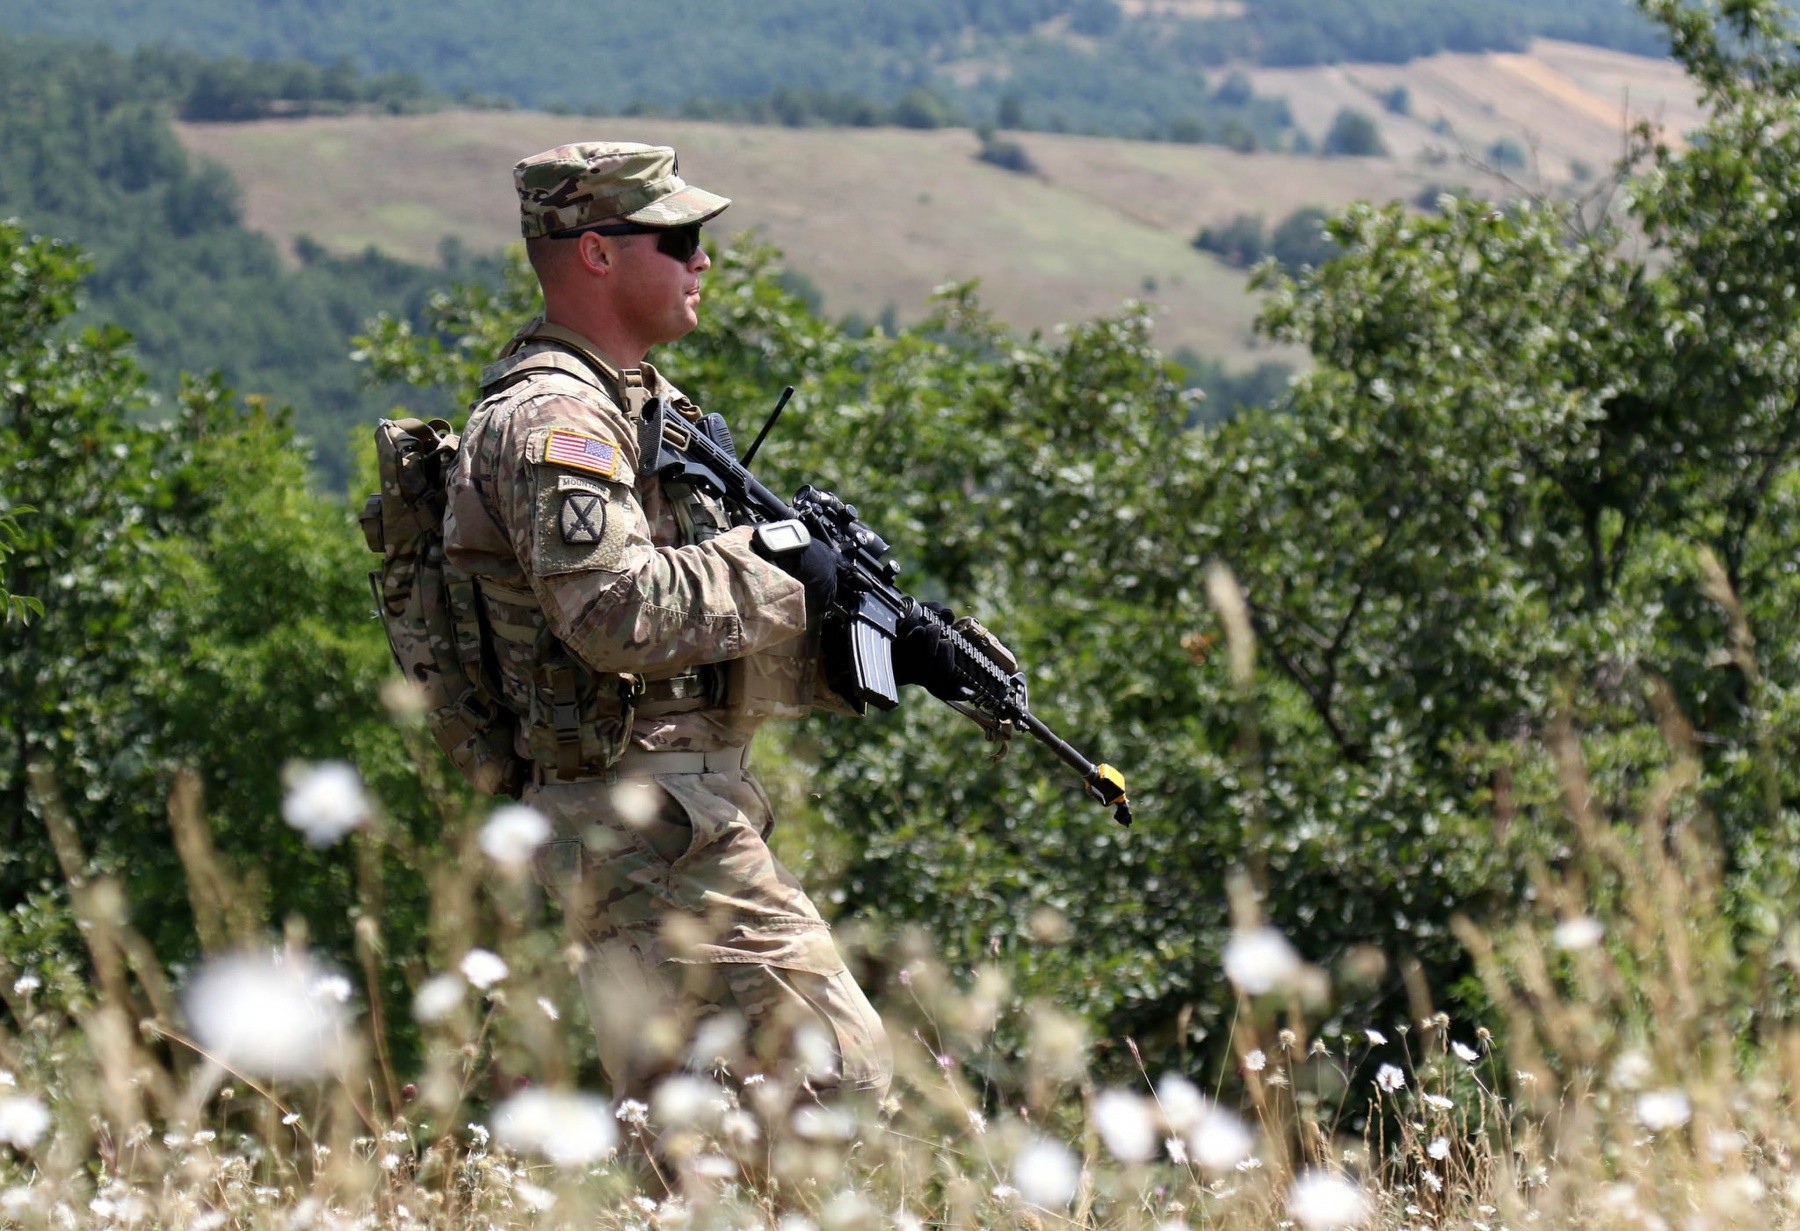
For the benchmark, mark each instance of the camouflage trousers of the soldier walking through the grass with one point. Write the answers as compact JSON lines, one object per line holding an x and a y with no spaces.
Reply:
{"x":697,"y":948}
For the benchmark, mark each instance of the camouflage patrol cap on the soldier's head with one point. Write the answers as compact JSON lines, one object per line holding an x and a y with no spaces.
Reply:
{"x":602,"y":181}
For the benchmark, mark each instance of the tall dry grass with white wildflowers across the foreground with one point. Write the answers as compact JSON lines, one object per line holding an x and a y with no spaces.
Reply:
{"x":1637,"y":1086}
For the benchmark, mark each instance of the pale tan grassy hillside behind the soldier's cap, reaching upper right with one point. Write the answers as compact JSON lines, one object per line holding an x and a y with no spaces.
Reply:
{"x":877,"y":219}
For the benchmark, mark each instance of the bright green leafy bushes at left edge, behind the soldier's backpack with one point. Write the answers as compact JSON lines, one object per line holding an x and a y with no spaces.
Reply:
{"x":201,"y":607}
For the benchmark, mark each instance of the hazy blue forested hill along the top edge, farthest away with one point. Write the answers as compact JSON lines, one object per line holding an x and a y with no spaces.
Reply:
{"x":1122,"y":67}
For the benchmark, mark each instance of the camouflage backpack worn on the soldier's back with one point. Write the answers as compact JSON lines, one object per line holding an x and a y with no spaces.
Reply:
{"x":431,"y":613}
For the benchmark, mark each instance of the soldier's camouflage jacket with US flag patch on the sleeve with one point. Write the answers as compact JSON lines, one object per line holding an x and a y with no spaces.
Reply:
{"x":597,"y":580}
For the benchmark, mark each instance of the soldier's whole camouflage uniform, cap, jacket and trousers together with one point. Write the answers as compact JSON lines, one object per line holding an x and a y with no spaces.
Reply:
{"x":642,"y":642}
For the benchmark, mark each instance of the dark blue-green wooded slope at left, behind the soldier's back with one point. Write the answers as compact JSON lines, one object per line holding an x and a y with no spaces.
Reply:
{"x":172,"y":258}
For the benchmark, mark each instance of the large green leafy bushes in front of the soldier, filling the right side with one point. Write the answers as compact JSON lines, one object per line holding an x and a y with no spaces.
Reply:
{"x":1479,"y":516}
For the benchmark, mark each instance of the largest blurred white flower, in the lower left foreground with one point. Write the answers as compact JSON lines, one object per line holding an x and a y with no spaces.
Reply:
{"x":265,"y":1016}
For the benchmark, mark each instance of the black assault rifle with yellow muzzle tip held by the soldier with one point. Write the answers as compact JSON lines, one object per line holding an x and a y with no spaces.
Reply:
{"x":870,"y":609}
